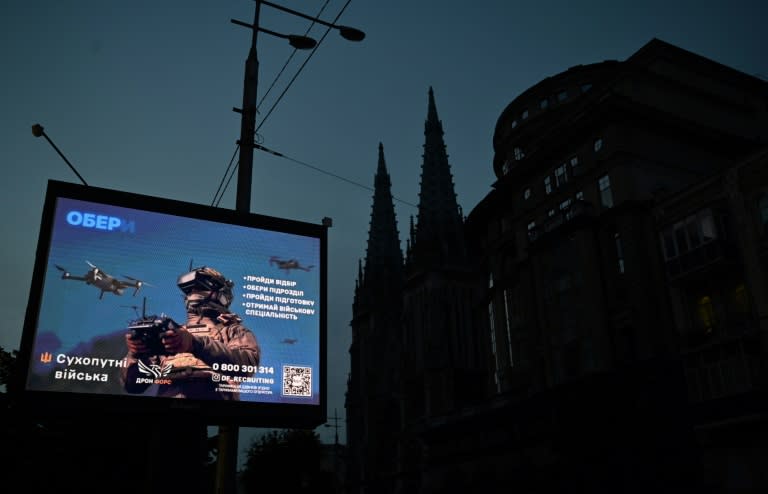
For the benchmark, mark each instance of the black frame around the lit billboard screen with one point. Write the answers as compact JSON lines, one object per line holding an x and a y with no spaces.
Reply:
{"x":57,"y":404}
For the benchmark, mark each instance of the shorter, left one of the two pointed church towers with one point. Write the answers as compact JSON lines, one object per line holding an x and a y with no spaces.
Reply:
{"x":373,"y":402}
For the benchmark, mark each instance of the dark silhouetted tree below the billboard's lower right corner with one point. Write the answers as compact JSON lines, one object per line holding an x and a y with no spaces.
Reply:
{"x":285,"y":461}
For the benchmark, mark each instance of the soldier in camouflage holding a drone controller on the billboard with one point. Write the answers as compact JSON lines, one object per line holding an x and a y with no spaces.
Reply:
{"x":192,"y":357}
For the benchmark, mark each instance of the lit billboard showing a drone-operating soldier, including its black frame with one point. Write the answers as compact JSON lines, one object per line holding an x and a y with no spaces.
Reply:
{"x":142,"y":304}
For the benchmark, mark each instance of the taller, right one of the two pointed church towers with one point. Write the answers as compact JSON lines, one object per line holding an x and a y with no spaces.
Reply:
{"x":440,"y":291}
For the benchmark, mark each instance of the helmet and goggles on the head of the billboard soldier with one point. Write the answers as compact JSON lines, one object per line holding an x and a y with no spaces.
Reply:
{"x":206,"y":288}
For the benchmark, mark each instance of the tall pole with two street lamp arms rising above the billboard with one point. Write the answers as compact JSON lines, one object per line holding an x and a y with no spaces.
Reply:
{"x":248,"y":110}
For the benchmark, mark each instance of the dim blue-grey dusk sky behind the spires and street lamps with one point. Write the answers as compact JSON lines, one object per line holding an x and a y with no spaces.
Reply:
{"x":139,"y":96}
